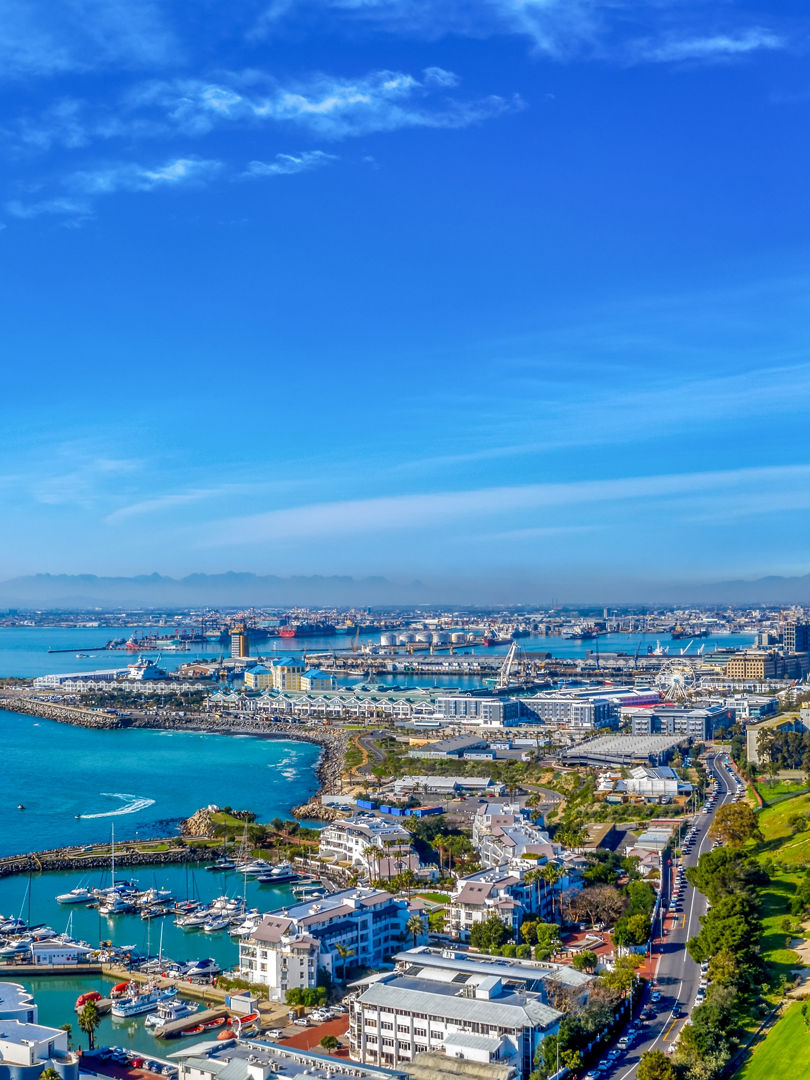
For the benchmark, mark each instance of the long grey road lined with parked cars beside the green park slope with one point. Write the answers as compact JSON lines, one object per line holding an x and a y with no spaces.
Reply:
{"x":676,"y":975}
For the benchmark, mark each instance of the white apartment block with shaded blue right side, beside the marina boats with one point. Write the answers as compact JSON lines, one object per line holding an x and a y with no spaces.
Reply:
{"x":291,"y":946}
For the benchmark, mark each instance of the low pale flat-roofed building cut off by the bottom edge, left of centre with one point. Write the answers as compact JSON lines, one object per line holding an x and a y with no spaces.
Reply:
{"x":256,"y":1060}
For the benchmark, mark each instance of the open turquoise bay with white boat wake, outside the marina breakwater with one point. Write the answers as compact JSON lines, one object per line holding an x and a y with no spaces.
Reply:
{"x":76,"y":782}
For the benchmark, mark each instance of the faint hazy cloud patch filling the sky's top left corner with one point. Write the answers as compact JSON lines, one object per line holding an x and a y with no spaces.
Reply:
{"x":46,"y":38}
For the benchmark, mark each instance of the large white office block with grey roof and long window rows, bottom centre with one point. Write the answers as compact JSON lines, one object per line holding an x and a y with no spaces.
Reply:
{"x":475,"y":1015}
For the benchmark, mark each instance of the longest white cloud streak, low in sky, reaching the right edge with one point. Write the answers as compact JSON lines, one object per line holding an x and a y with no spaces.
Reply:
{"x":425,"y":511}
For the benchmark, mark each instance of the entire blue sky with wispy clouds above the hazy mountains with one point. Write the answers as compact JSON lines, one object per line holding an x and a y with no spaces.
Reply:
{"x":509,"y":291}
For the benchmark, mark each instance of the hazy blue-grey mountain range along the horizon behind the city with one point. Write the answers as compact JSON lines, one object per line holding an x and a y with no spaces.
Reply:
{"x":84,"y":591}
